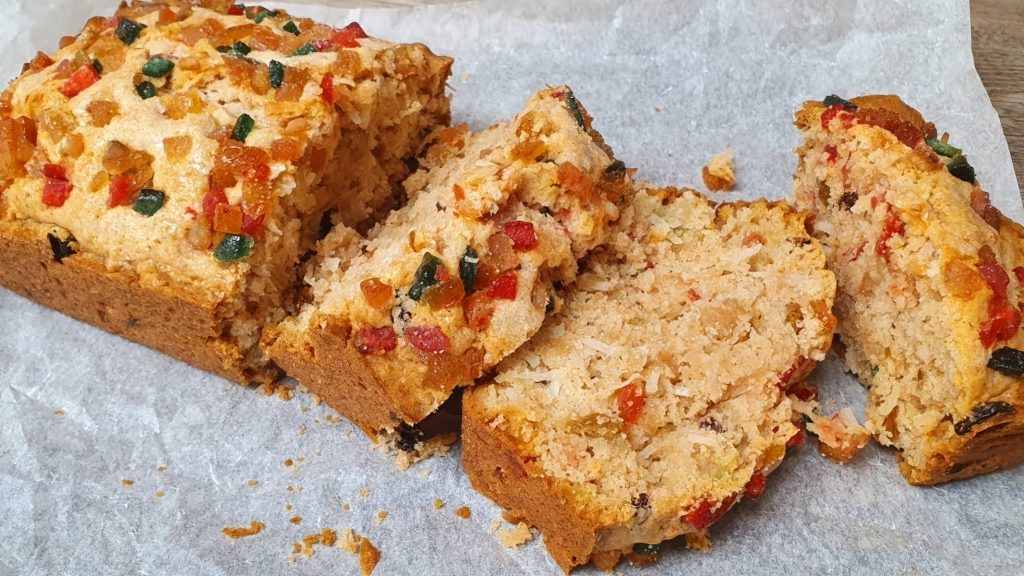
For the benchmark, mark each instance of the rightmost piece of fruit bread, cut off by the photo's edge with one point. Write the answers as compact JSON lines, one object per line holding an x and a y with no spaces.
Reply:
{"x":930,"y":283}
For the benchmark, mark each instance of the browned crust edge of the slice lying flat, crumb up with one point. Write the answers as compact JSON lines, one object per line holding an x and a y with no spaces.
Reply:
{"x":499,"y":474}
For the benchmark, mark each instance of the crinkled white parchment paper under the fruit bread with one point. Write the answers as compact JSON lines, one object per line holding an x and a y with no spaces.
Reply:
{"x":670,"y":84}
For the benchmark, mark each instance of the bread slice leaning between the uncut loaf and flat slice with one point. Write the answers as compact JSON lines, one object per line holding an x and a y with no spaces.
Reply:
{"x":462,"y":276}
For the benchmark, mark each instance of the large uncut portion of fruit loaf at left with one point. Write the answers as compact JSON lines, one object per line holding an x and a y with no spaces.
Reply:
{"x":164,"y":174}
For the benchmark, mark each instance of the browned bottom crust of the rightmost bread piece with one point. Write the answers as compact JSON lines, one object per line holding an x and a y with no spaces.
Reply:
{"x":997,"y":447}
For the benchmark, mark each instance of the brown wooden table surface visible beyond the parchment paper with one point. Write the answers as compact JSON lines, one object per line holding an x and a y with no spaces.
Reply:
{"x":998,"y":34}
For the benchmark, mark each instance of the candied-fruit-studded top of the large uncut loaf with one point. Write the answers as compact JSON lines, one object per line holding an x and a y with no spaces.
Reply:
{"x":196,"y":108}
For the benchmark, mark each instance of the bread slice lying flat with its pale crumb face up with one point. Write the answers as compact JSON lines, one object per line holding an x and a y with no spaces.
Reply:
{"x":657,"y":398}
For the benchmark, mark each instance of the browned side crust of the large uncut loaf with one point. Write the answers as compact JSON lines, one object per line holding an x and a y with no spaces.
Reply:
{"x":175,"y":322}
